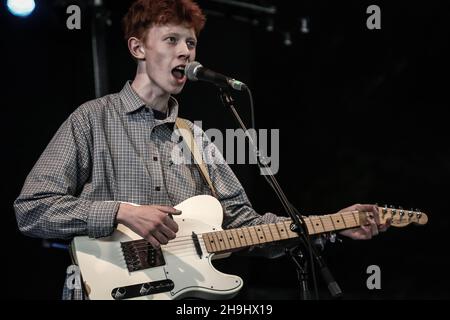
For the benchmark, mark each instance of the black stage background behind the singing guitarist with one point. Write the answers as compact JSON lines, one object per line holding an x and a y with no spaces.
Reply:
{"x":362,"y":117}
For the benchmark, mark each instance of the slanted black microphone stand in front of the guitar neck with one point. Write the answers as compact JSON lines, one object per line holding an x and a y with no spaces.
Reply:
{"x":298,"y":224}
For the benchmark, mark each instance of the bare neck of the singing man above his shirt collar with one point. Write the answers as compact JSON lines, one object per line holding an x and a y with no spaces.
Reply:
{"x":149,"y":92}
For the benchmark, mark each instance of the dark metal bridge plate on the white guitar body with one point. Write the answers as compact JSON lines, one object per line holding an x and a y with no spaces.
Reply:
{"x":140,"y":255}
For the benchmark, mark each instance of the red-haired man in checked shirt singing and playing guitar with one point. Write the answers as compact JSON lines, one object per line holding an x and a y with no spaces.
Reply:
{"x":117,"y":149}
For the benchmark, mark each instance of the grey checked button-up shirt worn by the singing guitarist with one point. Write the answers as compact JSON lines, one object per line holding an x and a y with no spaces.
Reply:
{"x":114,"y":149}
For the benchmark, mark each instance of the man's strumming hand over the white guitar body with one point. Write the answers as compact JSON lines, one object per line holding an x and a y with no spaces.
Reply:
{"x":153,"y":223}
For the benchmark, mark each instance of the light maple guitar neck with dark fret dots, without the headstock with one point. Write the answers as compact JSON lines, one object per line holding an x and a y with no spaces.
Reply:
{"x":226,"y":240}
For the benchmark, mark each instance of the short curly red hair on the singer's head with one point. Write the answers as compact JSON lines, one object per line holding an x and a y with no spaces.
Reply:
{"x":145,"y":13}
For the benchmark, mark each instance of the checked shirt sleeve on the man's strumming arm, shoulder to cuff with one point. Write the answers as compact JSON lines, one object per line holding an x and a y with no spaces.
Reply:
{"x":48,"y":205}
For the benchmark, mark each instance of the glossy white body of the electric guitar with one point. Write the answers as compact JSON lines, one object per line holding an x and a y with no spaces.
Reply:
{"x":190,"y":274}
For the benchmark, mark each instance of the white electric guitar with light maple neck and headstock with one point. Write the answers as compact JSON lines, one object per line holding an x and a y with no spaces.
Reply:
{"x":124,"y":266}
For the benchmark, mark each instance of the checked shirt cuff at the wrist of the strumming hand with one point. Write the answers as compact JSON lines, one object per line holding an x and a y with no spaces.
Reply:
{"x":101,"y":219}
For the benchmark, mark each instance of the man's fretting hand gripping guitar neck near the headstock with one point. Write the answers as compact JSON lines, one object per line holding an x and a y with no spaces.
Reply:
{"x":368,"y":231}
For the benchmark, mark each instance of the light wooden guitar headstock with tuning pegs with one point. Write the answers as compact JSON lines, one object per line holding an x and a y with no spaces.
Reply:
{"x":401,"y":217}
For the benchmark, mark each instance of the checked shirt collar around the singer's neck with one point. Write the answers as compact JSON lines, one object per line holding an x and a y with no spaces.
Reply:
{"x":132,"y":102}
